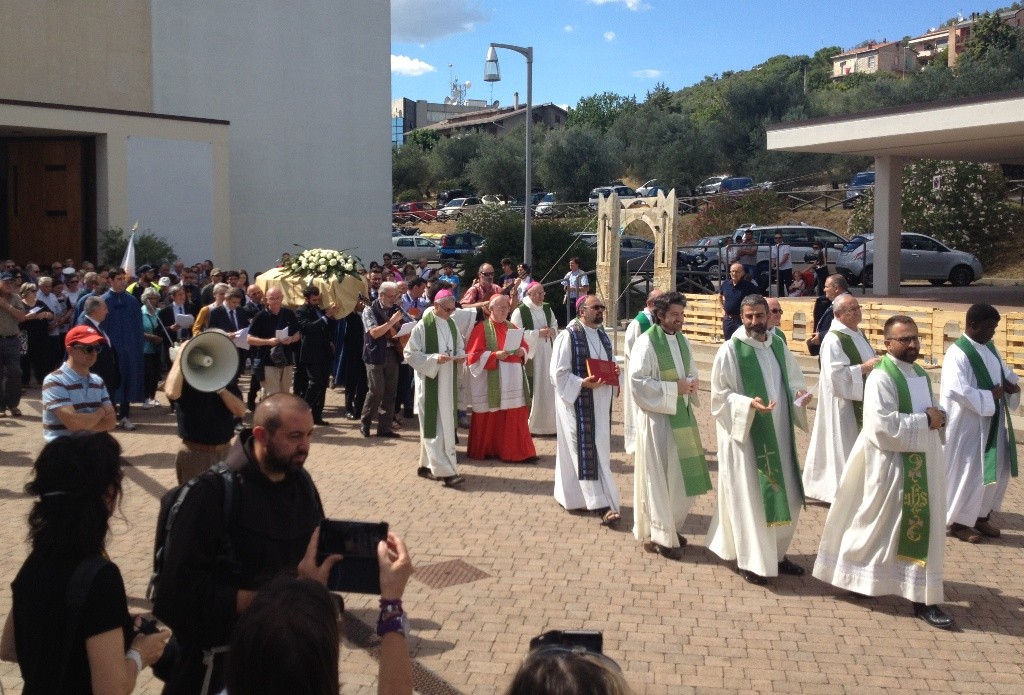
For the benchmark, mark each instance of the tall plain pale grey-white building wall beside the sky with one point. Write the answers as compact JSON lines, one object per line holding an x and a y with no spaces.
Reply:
{"x":307,"y":89}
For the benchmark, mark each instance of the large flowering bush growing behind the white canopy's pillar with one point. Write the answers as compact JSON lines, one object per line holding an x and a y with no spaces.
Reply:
{"x":967,"y":210}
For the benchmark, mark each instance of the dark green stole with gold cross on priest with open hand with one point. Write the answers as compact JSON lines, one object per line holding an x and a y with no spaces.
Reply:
{"x":774,"y":493}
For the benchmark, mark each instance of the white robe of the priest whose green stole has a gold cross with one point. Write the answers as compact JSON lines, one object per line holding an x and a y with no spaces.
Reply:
{"x":739,"y":528}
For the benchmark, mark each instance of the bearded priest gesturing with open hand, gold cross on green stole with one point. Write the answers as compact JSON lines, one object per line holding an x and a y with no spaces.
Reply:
{"x":755,"y":382}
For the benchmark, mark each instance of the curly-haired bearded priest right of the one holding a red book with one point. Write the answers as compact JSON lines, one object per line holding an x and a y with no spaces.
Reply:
{"x":671,"y":469}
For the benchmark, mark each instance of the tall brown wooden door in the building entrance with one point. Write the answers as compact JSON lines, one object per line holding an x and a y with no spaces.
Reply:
{"x":45,"y":200}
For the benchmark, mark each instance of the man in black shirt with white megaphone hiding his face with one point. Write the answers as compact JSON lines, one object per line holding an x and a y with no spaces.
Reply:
{"x":203,"y":383}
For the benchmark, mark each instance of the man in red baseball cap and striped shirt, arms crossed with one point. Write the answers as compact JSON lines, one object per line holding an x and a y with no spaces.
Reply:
{"x":74,"y":399}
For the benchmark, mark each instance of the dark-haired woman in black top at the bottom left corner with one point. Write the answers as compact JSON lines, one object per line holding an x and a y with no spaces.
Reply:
{"x":95,"y":648}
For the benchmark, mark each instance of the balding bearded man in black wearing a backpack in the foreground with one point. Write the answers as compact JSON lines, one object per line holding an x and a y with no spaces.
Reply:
{"x":274,"y":529}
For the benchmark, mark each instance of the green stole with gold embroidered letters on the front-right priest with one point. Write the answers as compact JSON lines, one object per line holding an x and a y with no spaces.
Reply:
{"x":915,"y":524}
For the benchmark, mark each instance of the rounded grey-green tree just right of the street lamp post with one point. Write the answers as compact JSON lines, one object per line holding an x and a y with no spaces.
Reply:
{"x":574,"y":161}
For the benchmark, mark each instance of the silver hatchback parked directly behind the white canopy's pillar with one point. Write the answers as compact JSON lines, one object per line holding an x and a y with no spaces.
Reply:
{"x":921,"y":258}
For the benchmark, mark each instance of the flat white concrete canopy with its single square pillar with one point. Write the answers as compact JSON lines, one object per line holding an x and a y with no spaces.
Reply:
{"x":989,"y":128}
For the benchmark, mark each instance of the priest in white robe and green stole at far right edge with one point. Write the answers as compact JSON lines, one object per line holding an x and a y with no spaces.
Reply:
{"x":977,"y":392}
